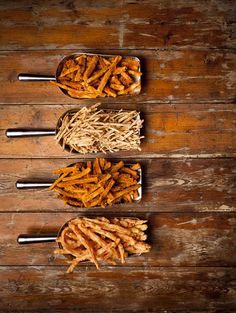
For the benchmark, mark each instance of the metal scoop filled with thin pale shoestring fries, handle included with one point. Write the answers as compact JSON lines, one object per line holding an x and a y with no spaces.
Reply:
{"x":93,"y":130}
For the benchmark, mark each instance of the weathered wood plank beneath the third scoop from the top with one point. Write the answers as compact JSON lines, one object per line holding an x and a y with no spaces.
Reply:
{"x":198,"y":185}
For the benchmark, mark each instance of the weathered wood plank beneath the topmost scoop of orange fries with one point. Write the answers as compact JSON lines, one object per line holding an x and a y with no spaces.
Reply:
{"x":169,"y":76}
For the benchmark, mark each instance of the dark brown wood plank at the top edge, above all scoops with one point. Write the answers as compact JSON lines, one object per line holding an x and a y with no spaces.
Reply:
{"x":123,"y":24}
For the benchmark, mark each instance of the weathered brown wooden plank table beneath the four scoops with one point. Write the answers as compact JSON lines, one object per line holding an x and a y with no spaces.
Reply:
{"x":188,"y":155}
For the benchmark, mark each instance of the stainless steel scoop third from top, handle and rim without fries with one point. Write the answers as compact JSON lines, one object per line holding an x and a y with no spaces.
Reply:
{"x":23,"y":184}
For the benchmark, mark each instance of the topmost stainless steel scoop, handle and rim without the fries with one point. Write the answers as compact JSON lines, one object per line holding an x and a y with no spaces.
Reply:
{"x":39,"y":78}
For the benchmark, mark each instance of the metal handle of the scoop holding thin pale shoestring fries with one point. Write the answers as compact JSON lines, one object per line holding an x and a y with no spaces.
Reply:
{"x":21,"y":132}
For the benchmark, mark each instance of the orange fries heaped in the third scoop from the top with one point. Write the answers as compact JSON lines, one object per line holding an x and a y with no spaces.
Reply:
{"x":98,"y":183}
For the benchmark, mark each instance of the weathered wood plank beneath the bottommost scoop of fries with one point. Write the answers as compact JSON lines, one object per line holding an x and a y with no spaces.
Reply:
{"x":183,"y":239}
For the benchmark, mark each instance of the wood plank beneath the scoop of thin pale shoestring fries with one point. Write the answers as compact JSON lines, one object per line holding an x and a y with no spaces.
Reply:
{"x":169,"y":131}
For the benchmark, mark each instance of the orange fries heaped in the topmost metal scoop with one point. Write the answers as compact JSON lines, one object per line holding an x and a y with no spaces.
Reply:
{"x":92,"y":76}
